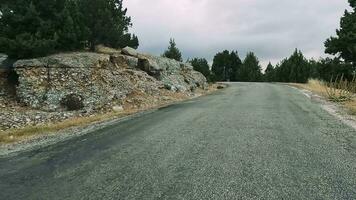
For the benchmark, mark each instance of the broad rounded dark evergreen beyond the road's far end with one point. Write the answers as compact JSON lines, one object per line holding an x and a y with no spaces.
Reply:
{"x":226,"y":66}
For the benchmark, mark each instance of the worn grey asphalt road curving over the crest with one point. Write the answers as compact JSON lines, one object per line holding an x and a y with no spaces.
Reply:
{"x":250,"y":141}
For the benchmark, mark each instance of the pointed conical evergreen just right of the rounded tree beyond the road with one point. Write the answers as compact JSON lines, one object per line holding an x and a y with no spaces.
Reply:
{"x":251,"y":69}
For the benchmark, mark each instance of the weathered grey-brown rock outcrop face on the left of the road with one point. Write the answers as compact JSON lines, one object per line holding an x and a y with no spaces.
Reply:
{"x":99,"y":80}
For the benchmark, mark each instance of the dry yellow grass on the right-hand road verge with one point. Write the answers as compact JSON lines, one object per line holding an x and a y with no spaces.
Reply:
{"x":333,"y":94}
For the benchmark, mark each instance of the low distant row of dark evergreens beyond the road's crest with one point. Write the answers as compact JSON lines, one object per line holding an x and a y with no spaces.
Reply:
{"x":227,"y":66}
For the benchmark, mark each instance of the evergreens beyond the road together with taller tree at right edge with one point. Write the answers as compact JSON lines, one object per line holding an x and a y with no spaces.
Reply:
{"x":227,"y":66}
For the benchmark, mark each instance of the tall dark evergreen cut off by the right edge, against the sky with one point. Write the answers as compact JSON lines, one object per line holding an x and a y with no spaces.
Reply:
{"x":344,"y":43}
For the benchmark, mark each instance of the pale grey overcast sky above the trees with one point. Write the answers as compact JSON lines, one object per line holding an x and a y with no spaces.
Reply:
{"x":270,"y":28}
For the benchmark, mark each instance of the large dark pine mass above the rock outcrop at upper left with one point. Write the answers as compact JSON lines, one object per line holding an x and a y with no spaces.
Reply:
{"x":33,"y":28}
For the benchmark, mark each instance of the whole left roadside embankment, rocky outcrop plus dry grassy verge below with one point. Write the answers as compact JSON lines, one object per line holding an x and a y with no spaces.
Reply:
{"x":76,"y":89}
